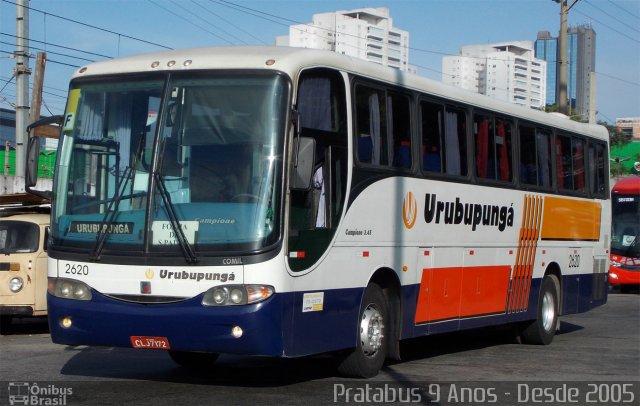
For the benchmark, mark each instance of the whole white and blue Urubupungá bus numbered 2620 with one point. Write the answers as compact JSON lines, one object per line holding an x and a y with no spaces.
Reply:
{"x":284,"y":202}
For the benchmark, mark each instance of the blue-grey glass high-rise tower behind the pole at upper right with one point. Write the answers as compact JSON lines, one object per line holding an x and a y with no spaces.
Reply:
{"x":581,"y":62}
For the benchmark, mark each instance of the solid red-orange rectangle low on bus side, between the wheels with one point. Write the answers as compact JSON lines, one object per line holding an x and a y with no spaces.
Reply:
{"x":448,"y":293}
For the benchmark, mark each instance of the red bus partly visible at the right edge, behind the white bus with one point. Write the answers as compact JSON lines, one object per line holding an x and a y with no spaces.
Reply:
{"x":624,"y":270}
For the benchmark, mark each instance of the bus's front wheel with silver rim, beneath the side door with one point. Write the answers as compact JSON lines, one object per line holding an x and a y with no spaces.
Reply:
{"x":366,"y":359}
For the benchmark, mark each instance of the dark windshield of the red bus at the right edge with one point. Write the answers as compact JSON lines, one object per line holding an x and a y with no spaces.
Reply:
{"x":626,"y":225}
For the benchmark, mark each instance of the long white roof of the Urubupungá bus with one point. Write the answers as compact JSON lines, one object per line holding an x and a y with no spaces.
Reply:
{"x":293,"y":60}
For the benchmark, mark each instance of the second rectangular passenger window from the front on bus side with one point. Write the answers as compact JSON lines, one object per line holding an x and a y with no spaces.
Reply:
{"x":444,"y":142}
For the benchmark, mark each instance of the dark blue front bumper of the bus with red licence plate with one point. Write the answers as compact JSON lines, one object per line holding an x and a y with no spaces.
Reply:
{"x":184,"y":326}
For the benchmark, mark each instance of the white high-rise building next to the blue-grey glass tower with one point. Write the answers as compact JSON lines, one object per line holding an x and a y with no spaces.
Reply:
{"x":507,"y":71}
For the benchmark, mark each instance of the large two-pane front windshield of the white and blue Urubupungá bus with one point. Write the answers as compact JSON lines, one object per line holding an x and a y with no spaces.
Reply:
{"x":171,"y":164}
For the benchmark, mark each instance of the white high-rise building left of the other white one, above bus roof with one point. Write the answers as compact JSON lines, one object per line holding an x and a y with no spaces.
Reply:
{"x":366,"y":33}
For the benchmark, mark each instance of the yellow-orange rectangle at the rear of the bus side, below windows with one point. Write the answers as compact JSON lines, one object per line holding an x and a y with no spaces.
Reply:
{"x":570,"y":219}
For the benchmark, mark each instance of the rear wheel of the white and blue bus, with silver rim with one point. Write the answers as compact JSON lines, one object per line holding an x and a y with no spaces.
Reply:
{"x":542,"y":330}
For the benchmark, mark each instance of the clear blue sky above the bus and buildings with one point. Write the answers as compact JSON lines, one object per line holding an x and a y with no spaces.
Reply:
{"x":75,"y":32}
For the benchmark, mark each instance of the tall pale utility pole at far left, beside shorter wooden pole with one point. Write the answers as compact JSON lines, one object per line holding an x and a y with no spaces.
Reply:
{"x":22,"y":73}
